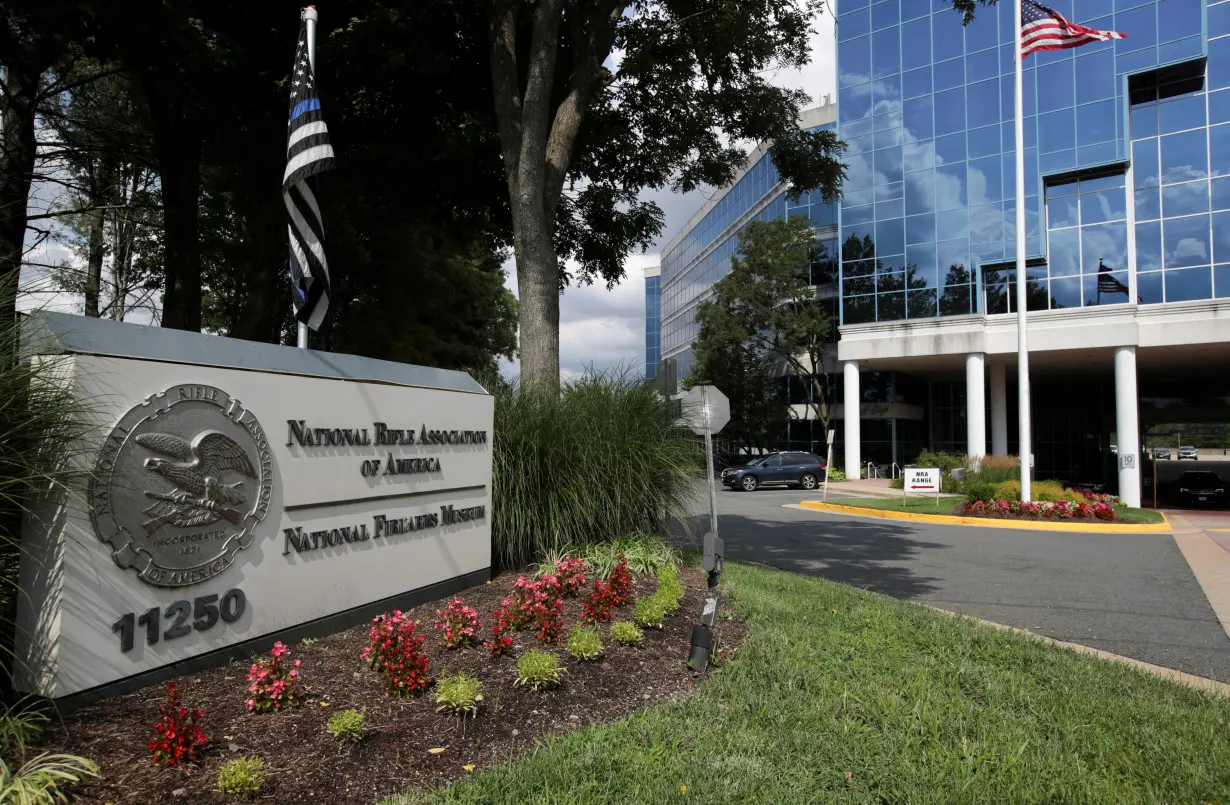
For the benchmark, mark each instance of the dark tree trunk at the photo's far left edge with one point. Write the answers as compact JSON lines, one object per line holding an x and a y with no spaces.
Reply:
{"x":18,"y":152}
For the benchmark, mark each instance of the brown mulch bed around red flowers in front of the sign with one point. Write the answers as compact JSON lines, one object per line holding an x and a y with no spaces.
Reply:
{"x":307,"y":765}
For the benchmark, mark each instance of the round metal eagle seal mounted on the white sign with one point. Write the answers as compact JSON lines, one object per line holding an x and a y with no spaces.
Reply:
{"x":180,"y":486}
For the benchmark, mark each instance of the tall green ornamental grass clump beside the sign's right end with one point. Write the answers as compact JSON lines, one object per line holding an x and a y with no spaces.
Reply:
{"x":600,"y":456}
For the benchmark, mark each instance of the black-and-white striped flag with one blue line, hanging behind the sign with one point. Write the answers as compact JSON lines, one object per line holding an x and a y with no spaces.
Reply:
{"x":308,"y":153}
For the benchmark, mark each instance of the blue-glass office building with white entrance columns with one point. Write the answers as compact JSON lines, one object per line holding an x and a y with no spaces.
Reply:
{"x":1127,"y":152}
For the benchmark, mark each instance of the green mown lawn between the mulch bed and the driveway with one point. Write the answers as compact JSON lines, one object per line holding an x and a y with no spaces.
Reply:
{"x":843,"y":696}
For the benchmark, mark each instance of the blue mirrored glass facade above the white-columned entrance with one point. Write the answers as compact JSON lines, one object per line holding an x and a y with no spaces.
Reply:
{"x":929,"y":215}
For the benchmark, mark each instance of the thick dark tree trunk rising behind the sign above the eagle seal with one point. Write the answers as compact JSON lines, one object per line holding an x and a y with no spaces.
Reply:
{"x":178,"y":145}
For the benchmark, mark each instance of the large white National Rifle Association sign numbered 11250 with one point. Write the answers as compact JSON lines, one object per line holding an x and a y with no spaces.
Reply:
{"x":227,"y":505}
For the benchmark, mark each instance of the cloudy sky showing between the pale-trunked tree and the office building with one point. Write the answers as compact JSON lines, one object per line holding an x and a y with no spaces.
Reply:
{"x":605,"y":329}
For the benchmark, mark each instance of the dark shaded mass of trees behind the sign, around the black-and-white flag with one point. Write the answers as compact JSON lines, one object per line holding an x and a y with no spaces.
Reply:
{"x":416,"y":217}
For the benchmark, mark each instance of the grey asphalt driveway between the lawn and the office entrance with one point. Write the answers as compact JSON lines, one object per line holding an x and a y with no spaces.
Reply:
{"x":1132,"y":595}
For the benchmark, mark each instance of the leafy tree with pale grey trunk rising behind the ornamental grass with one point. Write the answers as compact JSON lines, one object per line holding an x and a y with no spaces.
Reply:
{"x":598,"y":100}
